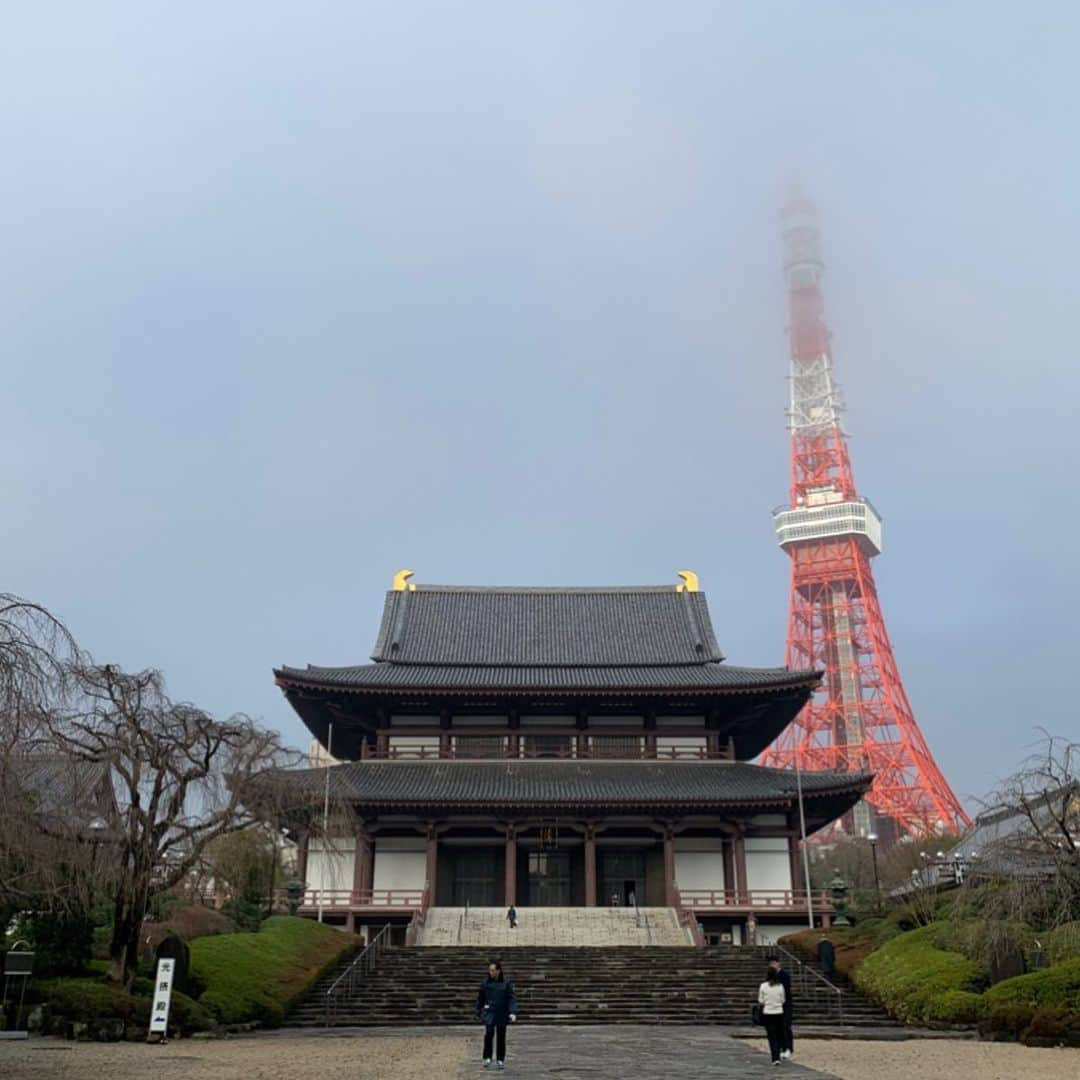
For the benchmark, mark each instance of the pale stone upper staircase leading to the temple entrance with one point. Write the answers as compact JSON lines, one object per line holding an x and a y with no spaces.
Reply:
{"x":553,"y":927}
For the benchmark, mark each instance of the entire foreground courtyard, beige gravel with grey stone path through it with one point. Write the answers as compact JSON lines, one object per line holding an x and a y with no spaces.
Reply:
{"x":566,"y":1054}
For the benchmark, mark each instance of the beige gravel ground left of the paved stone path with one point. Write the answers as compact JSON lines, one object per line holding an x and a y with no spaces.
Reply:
{"x":377,"y":1058}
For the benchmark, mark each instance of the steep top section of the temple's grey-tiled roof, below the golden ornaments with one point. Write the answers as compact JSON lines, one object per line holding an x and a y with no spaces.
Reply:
{"x":538,"y":628}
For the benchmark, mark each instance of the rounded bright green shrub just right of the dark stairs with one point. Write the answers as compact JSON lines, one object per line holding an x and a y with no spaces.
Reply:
{"x":919,"y":982}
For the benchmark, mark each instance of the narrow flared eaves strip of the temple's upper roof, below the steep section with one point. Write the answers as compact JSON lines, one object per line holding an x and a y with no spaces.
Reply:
{"x":715,"y":678}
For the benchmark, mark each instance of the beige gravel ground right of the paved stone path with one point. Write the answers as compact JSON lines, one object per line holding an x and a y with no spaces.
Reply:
{"x":941,"y":1060}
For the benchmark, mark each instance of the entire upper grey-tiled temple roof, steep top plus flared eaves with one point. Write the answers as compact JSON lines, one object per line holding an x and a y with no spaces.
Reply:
{"x":465,"y":639}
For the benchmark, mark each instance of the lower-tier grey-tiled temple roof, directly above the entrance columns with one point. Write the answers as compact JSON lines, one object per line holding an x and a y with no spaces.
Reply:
{"x":574,"y":785}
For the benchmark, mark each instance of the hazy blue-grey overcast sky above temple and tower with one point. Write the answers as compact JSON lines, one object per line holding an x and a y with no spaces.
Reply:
{"x":295,"y":295}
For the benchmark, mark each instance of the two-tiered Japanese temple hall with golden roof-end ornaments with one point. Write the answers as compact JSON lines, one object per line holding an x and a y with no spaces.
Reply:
{"x":558,"y":748}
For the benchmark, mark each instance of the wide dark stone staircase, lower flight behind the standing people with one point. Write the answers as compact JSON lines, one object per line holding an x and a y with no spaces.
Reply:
{"x":576,"y":985}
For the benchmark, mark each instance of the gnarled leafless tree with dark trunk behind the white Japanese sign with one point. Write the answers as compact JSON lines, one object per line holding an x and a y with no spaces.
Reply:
{"x":183,"y":780}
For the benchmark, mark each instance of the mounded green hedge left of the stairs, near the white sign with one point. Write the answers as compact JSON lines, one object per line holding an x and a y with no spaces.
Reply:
{"x":258,"y":977}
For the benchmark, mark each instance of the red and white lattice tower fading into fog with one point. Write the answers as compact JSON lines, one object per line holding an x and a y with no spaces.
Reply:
{"x":861,"y":719}
